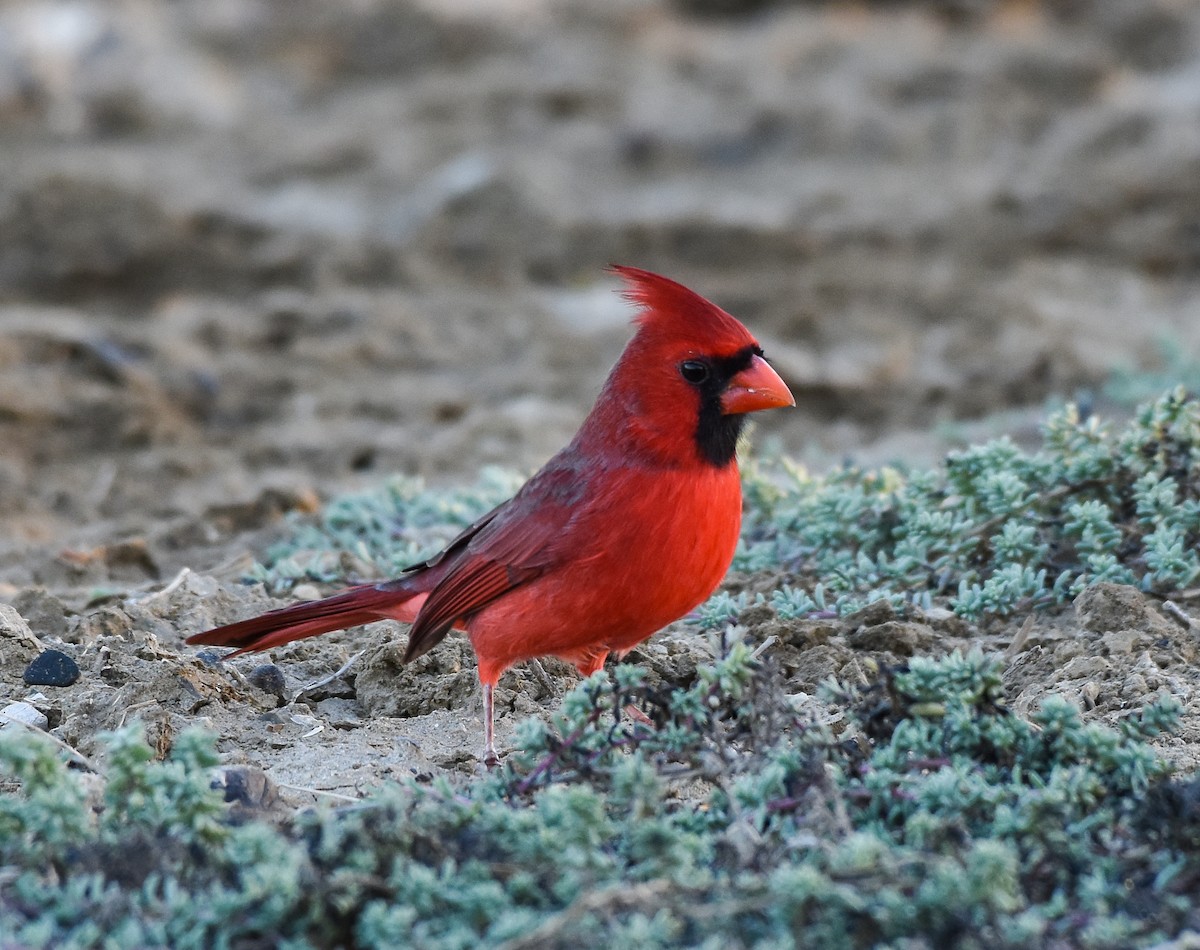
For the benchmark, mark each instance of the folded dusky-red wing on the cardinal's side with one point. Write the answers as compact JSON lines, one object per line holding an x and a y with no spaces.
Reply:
{"x":513,"y":545}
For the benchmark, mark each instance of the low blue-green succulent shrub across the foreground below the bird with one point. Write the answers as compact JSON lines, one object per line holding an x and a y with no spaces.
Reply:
{"x":717,"y":817}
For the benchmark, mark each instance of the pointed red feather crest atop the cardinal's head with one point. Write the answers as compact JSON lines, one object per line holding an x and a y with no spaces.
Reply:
{"x":670,"y":310}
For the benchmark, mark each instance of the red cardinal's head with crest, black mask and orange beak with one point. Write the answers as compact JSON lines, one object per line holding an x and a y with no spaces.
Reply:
{"x":689,"y":376}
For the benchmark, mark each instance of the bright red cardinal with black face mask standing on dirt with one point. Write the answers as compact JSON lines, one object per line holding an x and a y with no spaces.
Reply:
{"x":628,"y":528}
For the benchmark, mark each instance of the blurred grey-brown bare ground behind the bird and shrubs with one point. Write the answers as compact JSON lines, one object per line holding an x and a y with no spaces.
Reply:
{"x":254,"y":252}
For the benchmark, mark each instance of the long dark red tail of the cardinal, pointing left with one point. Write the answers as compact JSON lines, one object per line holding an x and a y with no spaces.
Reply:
{"x":358,"y":605}
